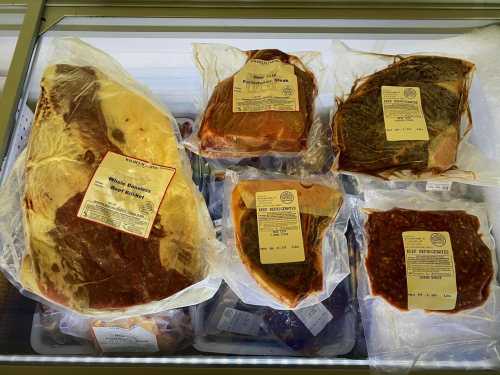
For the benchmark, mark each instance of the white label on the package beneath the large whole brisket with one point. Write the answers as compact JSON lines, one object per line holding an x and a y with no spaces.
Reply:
{"x":133,"y":340}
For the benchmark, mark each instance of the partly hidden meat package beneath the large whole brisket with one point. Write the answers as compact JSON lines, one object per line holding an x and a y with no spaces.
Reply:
{"x":56,"y":332}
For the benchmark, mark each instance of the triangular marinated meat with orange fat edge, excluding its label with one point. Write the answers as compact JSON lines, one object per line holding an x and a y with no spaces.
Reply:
{"x":287,"y":282}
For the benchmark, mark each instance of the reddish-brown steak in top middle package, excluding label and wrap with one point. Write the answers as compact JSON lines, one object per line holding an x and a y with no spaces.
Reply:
{"x":225,"y":133}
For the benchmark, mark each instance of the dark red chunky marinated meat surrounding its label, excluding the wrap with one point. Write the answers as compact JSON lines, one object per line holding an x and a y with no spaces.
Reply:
{"x":386,"y":265}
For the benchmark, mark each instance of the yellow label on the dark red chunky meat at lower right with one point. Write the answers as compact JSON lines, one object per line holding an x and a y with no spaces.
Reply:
{"x":430,"y":270}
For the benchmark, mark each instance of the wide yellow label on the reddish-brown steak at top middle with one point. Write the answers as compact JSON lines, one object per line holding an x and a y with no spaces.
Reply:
{"x":265,"y":85}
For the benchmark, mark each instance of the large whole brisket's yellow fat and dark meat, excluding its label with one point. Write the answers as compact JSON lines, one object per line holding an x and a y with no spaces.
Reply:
{"x":81,"y":115}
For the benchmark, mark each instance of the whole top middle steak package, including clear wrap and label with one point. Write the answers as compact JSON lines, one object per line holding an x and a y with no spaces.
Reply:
{"x":258,"y":103}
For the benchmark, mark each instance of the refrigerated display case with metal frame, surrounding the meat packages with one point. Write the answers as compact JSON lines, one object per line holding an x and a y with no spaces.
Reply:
{"x":152,"y":40}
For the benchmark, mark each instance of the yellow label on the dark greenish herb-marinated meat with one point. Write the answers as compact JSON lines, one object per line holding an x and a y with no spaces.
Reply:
{"x":403,"y":115}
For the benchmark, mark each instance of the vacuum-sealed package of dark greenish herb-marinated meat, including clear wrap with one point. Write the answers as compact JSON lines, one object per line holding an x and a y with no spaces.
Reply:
{"x":419,"y":114}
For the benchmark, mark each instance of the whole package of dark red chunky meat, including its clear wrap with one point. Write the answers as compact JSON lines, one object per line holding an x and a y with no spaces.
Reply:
{"x":428,"y":286}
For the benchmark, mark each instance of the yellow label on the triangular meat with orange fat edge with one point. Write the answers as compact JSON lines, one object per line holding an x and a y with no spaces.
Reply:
{"x":280,"y":234}
